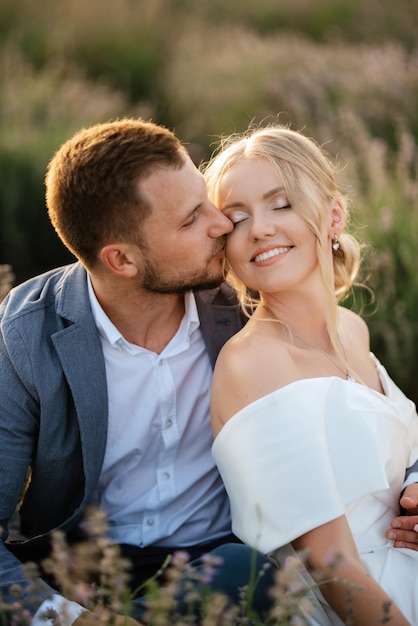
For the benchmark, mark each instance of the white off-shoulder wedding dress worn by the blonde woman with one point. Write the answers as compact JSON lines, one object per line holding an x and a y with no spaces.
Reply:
{"x":317,"y":449}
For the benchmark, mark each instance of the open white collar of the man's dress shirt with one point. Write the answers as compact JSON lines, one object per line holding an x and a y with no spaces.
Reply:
{"x":108,"y":331}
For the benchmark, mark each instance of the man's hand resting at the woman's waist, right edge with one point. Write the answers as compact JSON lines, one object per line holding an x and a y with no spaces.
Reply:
{"x":404,"y":530}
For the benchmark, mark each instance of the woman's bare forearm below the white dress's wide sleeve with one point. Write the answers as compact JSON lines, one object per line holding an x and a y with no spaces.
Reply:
{"x":333,"y":553}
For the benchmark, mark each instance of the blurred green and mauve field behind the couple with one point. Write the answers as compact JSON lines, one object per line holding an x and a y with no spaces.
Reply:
{"x":343,"y":71}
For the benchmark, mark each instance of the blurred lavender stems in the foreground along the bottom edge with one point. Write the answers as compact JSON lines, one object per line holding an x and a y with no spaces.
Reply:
{"x":93,"y":574}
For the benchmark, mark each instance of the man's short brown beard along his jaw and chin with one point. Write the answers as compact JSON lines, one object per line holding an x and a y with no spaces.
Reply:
{"x":155,"y":282}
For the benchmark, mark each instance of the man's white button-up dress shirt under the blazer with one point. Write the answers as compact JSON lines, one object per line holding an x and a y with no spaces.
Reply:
{"x":159,"y":483}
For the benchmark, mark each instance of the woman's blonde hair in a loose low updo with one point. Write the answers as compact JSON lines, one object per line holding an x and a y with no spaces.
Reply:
{"x":300,"y":164}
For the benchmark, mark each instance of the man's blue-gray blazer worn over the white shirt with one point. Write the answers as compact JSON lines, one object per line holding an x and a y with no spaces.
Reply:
{"x":53,"y":405}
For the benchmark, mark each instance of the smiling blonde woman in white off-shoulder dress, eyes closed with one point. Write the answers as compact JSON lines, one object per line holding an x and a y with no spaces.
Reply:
{"x":297,"y":397}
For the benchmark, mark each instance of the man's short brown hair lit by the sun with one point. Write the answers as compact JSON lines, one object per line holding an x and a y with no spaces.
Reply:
{"x":91,"y":183}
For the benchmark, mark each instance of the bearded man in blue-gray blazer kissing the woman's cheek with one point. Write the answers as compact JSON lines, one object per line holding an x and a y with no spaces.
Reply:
{"x":105,"y":365}
